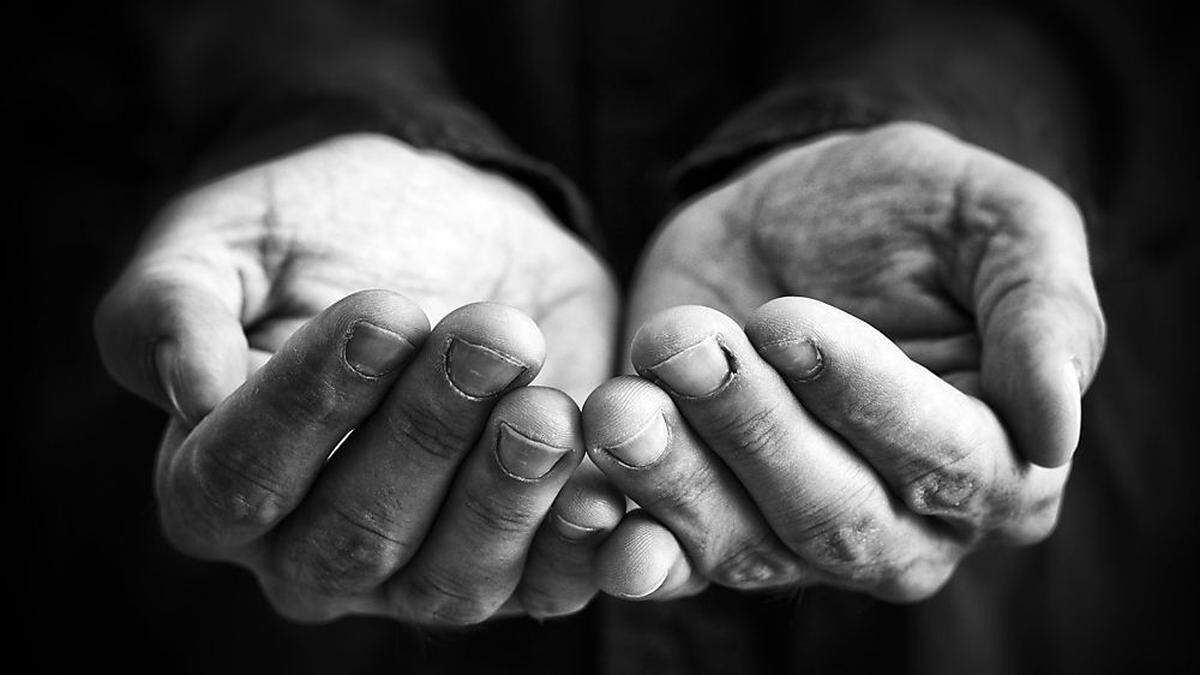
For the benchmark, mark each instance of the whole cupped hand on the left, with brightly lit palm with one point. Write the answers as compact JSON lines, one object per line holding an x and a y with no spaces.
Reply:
{"x":435,"y":510}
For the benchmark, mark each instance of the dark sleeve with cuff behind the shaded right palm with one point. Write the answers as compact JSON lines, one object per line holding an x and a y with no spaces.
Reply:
{"x":1015,"y":81}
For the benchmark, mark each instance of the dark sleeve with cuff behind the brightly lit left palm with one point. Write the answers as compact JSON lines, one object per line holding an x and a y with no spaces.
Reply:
{"x":251,"y":80}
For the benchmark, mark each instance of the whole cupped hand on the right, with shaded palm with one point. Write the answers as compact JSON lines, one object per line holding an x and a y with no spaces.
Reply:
{"x":922,"y":401}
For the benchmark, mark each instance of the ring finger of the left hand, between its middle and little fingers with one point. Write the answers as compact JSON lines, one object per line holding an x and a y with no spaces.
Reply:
{"x":472,"y":560}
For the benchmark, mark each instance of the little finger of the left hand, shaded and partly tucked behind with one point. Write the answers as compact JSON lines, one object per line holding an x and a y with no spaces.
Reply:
{"x":560,"y":574}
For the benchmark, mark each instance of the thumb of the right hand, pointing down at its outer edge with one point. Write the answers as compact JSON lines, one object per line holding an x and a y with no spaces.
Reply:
{"x":1039,"y":314}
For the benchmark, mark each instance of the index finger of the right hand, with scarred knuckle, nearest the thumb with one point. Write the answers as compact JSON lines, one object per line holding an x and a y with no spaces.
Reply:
{"x":940,"y":450}
